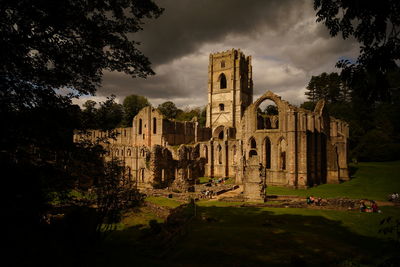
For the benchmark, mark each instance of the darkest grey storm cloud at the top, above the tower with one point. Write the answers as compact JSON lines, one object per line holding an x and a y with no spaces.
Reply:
{"x":186,"y":25}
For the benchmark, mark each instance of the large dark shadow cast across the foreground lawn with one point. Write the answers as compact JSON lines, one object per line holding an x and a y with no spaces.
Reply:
{"x":237,"y":236}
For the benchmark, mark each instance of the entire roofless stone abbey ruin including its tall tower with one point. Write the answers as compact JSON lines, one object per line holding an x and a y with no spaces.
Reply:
{"x":295,"y":147}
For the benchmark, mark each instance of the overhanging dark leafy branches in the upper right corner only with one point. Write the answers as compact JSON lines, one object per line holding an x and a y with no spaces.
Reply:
{"x":376,"y":26}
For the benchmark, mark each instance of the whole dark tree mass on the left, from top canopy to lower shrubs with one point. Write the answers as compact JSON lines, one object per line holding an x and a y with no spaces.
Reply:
{"x":49,"y":46}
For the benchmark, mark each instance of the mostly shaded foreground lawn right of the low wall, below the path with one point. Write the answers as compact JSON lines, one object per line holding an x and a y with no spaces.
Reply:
{"x":262,"y":236}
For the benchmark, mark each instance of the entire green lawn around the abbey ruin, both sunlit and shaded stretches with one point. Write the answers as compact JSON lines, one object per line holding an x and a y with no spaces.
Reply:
{"x":226,"y":234}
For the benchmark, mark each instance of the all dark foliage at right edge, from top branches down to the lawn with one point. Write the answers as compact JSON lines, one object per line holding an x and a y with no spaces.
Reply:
{"x":373,"y":79}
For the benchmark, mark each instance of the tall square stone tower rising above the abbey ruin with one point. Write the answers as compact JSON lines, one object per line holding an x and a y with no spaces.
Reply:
{"x":230,"y":88}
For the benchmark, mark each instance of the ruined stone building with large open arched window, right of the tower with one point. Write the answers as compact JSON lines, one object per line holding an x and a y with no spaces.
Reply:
{"x":302,"y":150}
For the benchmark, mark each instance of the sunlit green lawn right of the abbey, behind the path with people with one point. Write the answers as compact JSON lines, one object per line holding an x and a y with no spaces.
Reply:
{"x":372,"y":180}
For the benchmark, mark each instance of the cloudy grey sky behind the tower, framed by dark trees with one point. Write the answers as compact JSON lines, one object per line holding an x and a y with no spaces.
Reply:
{"x":288,"y":46}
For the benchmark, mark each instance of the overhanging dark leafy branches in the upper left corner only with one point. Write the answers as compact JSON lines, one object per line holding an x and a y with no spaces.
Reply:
{"x":69,"y":43}
